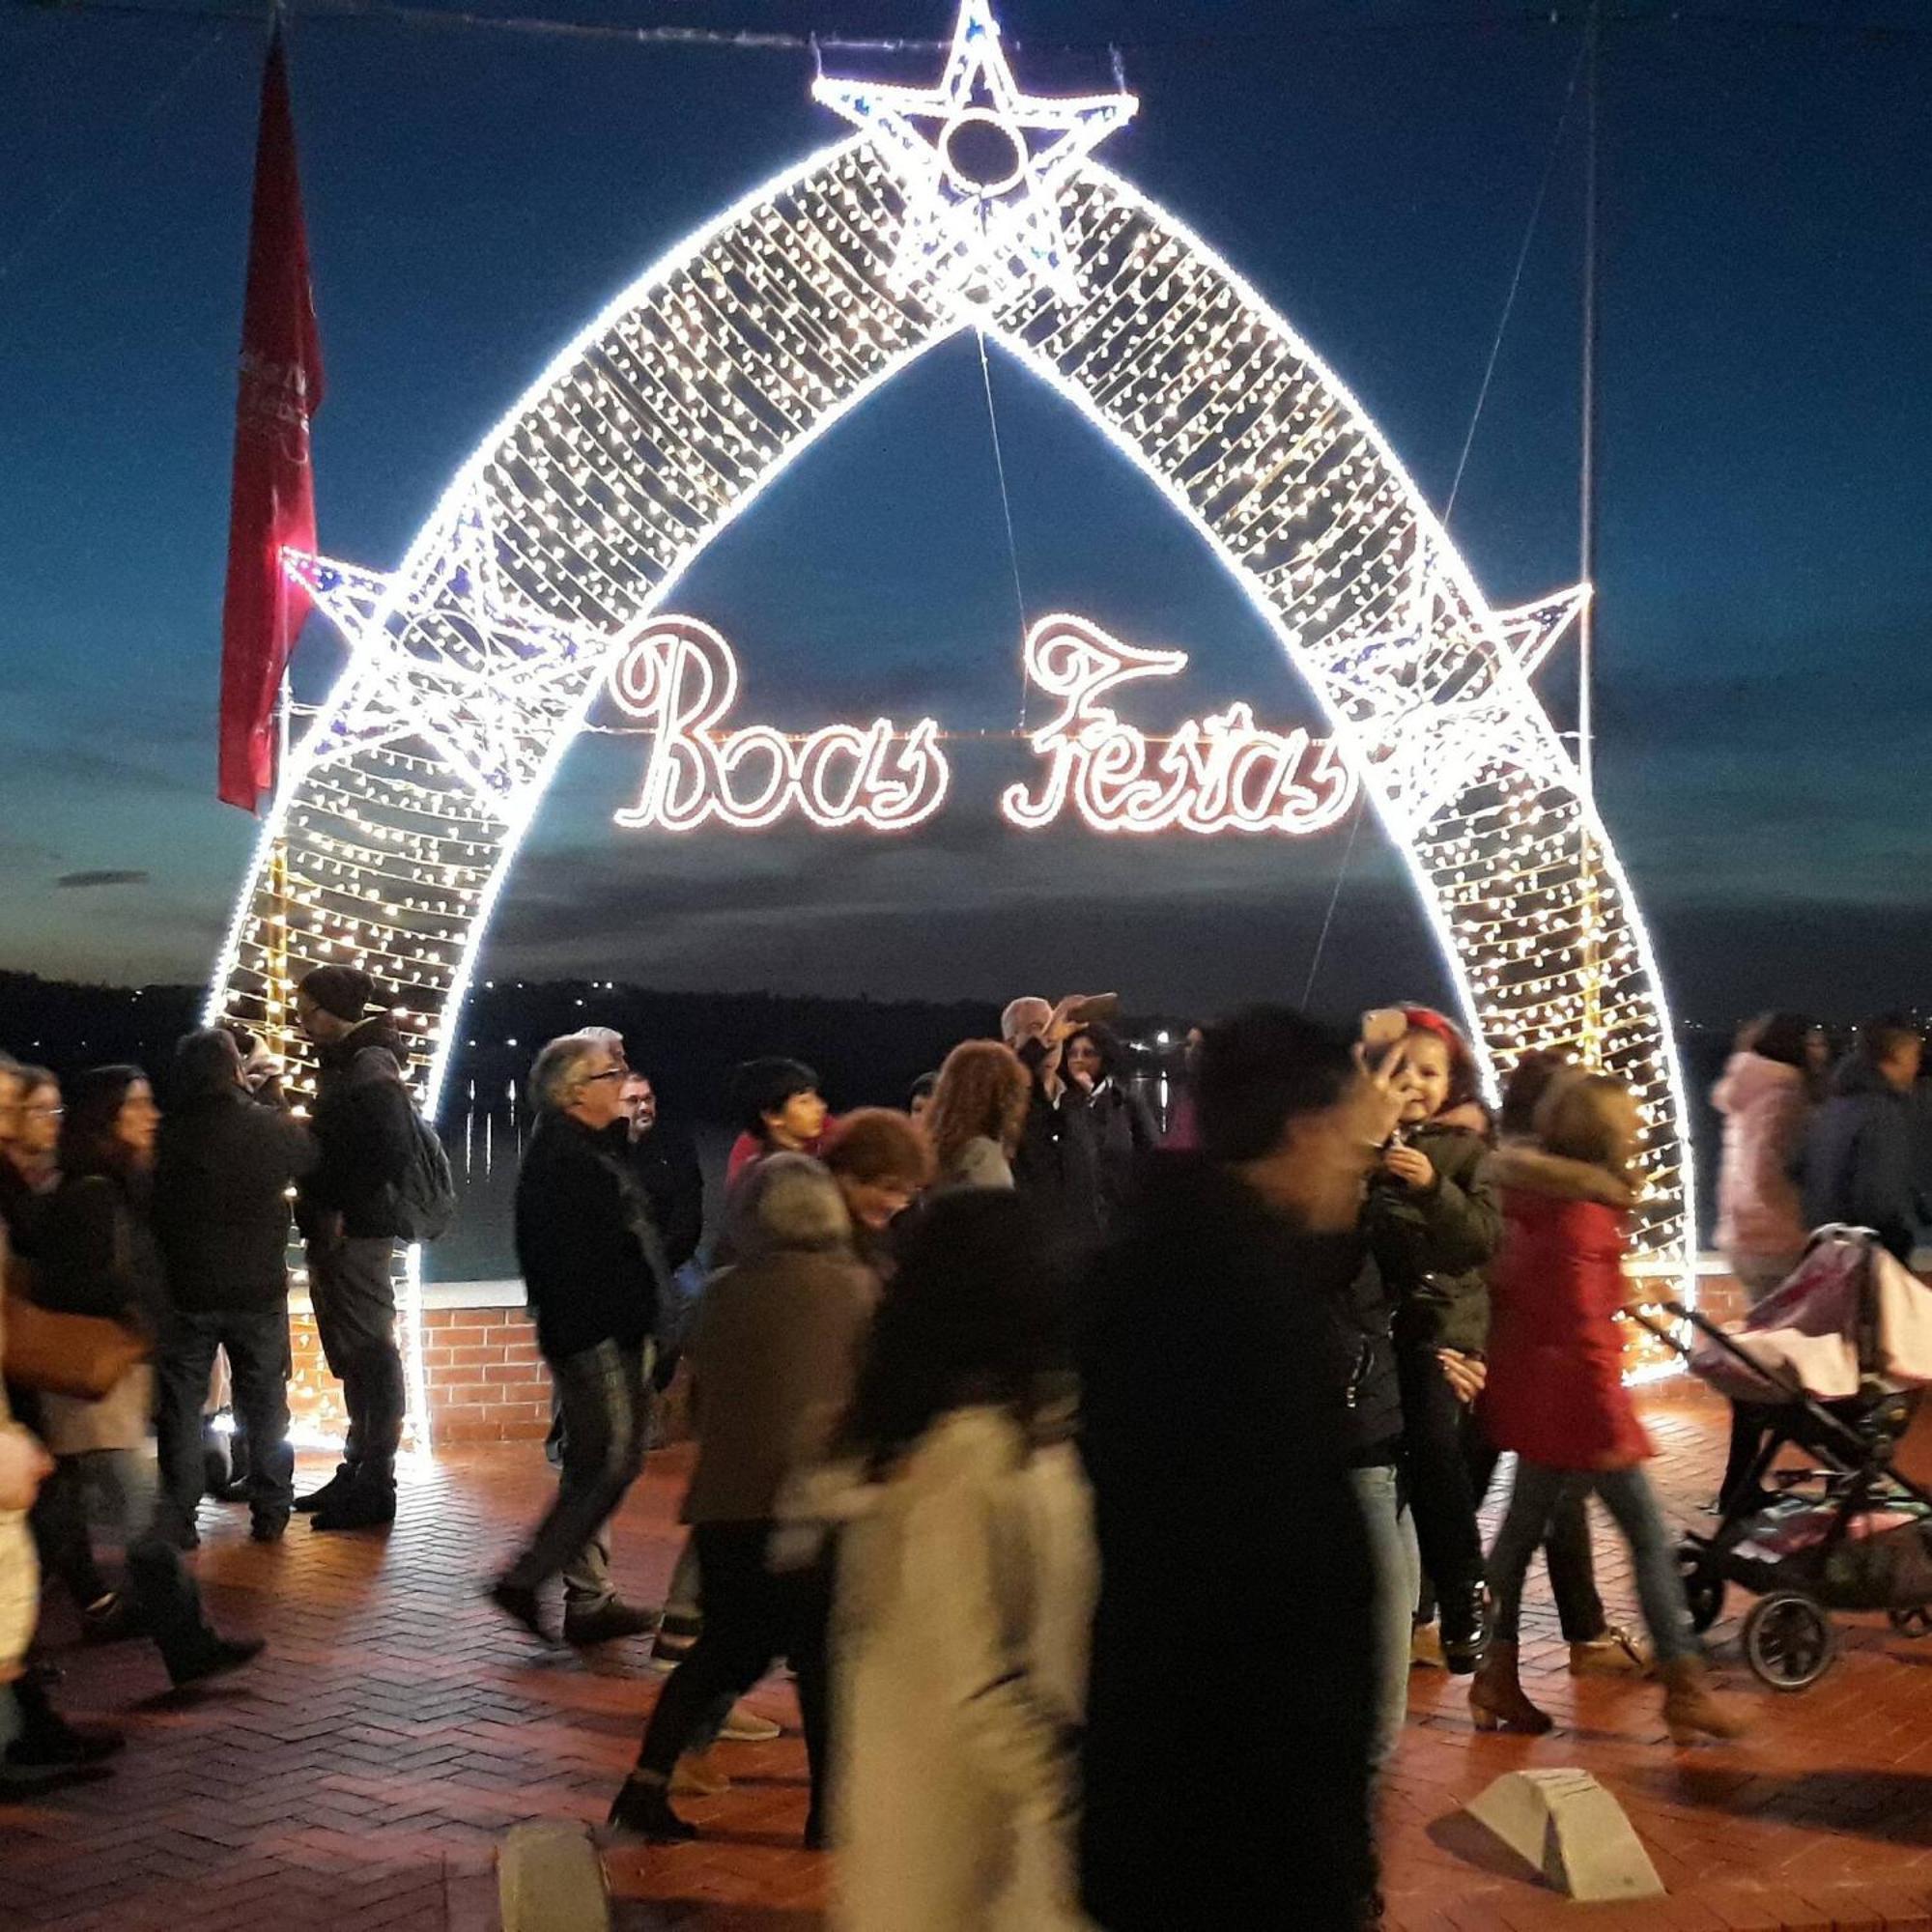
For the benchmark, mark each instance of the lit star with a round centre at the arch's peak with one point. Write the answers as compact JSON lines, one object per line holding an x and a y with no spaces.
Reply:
{"x":982,"y":167}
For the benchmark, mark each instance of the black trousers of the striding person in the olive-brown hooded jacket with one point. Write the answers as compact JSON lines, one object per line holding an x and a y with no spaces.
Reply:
{"x":754,"y":1614}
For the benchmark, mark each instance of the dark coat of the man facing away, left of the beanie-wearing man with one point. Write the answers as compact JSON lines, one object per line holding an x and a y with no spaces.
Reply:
{"x":221,"y":1199}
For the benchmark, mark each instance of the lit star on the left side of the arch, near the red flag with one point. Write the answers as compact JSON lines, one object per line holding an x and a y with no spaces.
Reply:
{"x":451,"y":658}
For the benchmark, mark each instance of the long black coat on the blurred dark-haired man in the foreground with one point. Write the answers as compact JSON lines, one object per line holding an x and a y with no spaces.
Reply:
{"x":1236,"y":1568}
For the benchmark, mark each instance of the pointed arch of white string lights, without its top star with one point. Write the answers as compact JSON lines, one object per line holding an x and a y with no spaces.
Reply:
{"x":405,"y":805}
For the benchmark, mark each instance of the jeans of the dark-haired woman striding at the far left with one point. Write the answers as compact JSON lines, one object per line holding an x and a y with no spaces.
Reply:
{"x":123,"y":1483}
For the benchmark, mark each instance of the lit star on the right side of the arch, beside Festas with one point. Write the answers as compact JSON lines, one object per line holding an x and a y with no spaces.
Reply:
{"x":1427,"y":712}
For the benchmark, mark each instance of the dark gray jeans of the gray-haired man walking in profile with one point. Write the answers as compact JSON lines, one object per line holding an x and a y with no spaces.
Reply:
{"x":606,"y":1398}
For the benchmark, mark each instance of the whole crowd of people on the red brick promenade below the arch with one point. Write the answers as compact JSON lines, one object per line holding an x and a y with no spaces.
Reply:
{"x":998,"y":1402}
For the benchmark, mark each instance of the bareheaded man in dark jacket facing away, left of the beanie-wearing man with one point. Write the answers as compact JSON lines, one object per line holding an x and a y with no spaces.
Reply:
{"x":221,"y":1214}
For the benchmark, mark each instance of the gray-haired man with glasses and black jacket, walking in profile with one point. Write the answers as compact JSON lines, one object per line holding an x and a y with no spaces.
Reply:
{"x":594,"y":1272}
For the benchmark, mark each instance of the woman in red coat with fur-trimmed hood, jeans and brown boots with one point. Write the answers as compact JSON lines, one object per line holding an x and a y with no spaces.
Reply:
{"x":1556,"y":1394}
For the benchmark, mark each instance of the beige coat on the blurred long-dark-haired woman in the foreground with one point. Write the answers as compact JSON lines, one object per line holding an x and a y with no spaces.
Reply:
{"x":961,"y":1641}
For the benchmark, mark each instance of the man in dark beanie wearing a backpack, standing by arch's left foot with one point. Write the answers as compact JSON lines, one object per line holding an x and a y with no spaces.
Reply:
{"x":351,"y":1218}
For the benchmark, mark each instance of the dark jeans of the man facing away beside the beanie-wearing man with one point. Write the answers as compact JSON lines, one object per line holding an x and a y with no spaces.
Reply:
{"x":256,"y":1342}
